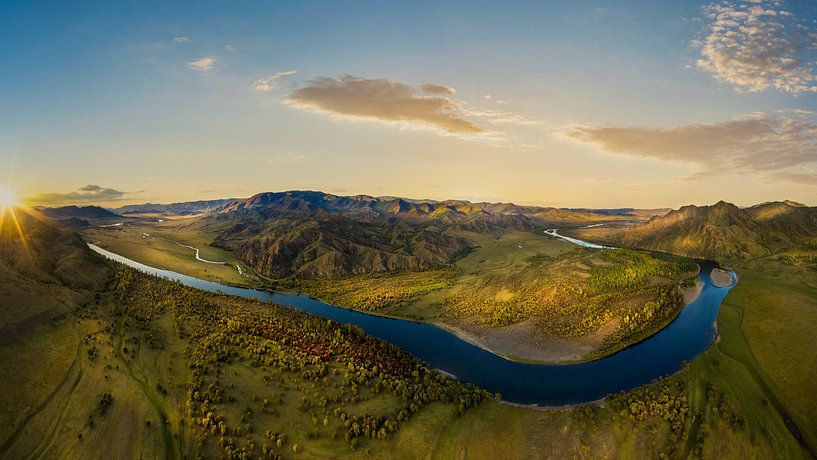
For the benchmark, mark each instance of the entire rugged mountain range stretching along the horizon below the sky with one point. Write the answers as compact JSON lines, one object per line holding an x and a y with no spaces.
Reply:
{"x":311,"y":234}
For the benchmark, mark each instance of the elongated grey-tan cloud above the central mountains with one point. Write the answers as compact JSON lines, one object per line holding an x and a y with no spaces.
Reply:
{"x":382,"y":100}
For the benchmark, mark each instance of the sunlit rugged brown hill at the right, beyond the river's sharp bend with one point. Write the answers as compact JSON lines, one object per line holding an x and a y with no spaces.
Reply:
{"x":721,"y":231}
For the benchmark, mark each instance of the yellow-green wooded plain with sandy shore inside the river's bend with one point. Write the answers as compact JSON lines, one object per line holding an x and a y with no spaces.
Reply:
{"x":527,"y":296}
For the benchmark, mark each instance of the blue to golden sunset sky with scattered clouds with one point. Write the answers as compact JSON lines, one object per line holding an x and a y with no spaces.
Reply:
{"x":570,"y":104}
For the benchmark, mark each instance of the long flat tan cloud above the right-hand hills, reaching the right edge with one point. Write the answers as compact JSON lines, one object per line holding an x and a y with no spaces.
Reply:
{"x":758,"y":143}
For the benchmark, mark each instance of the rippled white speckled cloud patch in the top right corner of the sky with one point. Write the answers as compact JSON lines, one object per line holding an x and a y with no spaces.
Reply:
{"x":758,"y":45}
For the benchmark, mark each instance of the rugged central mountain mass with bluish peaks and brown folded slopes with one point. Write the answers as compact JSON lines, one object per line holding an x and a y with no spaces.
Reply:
{"x":308,"y":234}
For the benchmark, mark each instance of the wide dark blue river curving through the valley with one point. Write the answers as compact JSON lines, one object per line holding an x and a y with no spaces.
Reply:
{"x":690,"y":334}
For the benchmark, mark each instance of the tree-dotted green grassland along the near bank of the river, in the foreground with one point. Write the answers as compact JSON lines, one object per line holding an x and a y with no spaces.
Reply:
{"x":190,"y":373}
